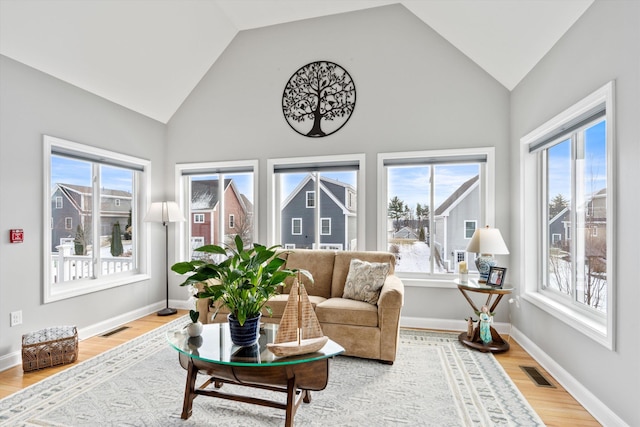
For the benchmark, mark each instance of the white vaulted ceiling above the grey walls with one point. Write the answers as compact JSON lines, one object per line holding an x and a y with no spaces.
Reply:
{"x":148,"y":55}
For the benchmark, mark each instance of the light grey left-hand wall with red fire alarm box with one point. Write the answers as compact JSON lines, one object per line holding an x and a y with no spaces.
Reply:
{"x":33,"y":104}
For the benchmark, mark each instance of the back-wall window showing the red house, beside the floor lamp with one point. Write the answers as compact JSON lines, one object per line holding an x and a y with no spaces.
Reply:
{"x":224,"y":193}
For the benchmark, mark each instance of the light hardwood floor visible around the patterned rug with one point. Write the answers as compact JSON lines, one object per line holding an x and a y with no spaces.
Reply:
{"x":555,"y":406}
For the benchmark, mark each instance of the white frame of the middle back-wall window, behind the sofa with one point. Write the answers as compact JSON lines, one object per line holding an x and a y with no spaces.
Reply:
{"x":273,"y":211}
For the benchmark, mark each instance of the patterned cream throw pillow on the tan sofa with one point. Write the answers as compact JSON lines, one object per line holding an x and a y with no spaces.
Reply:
{"x":364,"y":280}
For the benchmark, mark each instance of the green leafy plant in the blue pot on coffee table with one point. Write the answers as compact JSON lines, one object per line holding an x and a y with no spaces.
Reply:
{"x":243,"y":282}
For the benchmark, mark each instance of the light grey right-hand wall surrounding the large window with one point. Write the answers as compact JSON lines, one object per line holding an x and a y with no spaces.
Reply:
{"x":603,"y":45}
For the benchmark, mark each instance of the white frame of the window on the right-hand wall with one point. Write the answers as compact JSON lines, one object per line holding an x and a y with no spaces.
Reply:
{"x":600,"y":329}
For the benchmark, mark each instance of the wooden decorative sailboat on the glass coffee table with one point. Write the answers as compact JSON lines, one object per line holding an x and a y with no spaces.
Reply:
{"x":299,"y":331}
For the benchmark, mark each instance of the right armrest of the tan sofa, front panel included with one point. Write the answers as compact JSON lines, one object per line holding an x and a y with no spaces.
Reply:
{"x":389,"y":308}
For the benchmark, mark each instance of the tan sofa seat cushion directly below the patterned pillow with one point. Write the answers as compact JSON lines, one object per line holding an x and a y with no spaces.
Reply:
{"x":344,"y":311}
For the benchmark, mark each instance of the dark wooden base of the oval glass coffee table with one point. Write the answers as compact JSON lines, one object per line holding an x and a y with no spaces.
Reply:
{"x":297,"y":381}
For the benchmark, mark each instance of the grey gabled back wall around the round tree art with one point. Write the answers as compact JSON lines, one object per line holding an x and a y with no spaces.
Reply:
{"x":414,"y":92}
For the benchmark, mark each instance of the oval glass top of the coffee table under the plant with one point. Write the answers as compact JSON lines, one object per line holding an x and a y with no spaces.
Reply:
{"x":214,"y":345}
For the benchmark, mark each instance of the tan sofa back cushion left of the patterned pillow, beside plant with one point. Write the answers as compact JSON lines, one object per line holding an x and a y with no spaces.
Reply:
{"x":319,"y":263}
